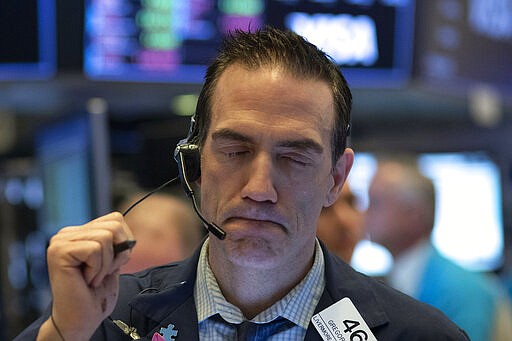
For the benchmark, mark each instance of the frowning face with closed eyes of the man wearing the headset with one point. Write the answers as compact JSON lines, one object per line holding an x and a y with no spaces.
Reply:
{"x":267,"y":168}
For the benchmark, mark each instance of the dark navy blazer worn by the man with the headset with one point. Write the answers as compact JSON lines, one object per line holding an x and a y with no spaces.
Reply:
{"x":164,"y":295}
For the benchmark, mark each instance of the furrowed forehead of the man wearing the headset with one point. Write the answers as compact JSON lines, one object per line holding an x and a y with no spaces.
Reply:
{"x":272,"y":96}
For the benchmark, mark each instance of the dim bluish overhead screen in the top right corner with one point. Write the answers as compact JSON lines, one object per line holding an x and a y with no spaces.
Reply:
{"x":462,"y":43}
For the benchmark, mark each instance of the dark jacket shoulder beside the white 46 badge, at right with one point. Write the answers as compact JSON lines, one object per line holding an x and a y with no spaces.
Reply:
{"x":390,"y":314}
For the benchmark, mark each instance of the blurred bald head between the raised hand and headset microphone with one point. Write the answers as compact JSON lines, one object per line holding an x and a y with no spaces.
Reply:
{"x":166,"y":229}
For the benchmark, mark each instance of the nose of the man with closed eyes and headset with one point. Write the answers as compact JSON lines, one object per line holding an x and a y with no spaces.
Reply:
{"x":260,"y":180}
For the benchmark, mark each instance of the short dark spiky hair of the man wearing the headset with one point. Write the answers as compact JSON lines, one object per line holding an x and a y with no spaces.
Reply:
{"x":274,"y":47}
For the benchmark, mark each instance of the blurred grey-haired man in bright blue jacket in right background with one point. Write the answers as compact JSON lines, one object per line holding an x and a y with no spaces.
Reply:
{"x":400,"y":217}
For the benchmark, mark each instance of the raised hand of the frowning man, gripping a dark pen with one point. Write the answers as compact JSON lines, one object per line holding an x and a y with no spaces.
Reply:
{"x":84,"y":276}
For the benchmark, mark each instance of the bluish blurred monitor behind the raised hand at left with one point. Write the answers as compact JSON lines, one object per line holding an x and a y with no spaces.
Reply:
{"x":72,"y":157}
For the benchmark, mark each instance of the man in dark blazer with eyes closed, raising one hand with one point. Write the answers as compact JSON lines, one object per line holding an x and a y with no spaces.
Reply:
{"x":272,"y":122}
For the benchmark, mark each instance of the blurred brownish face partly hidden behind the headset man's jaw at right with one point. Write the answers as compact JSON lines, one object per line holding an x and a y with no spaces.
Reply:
{"x":340,"y":226}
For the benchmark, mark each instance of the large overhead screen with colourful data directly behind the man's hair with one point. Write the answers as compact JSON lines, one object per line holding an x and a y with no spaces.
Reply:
{"x":172,"y":41}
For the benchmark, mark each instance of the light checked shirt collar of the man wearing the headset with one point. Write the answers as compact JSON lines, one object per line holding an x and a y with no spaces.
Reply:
{"x":297,"y":306}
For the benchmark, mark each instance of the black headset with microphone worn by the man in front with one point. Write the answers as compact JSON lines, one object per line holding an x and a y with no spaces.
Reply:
{"x":188,"y":158}
